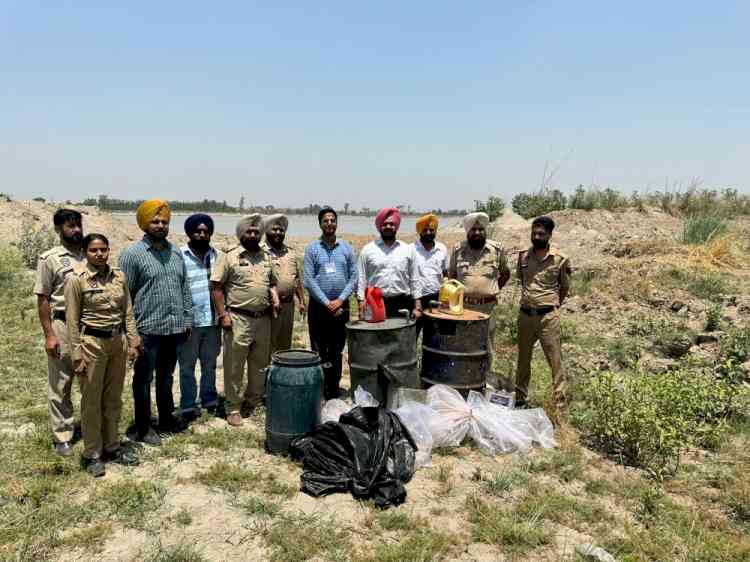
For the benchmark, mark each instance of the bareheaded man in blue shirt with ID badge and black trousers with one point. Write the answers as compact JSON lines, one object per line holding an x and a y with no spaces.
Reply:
{"x":330,"y":271}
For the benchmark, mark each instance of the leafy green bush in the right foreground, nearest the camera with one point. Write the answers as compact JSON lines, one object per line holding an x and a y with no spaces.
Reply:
{"x":648,"y":420}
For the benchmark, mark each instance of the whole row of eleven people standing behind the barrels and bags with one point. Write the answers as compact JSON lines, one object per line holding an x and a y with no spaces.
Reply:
{"x":166,"y":305}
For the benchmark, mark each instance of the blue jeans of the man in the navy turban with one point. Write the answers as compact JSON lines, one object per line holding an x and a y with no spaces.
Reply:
{"x":204,"y":345}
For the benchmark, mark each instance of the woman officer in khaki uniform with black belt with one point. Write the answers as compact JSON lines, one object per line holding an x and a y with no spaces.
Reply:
{"x":102,"y":335}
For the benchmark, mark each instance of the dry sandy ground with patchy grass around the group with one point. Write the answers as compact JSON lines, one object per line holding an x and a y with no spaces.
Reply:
{"x":212,"y":493}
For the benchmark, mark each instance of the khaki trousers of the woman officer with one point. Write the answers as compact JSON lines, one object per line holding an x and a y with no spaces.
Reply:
{"x":101,"y":393}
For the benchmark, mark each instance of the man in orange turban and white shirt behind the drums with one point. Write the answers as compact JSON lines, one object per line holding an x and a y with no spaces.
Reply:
{"x":432,"y":262}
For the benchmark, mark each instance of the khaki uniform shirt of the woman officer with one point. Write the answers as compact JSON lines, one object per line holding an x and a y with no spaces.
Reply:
{"x":100,"y":300}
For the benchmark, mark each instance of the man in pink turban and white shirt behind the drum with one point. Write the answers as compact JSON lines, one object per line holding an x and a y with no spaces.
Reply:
{"x":391,"y":265}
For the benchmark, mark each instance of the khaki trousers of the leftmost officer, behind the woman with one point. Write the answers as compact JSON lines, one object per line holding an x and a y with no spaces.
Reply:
{"x":59,"y":386}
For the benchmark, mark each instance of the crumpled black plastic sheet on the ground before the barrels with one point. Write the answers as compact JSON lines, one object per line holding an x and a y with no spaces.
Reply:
{"x":368,"y":452}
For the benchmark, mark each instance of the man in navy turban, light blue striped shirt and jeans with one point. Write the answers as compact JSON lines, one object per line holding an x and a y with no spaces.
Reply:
{"x":204,"y":342}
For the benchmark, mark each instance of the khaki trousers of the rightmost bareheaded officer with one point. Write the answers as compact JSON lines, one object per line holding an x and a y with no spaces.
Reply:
{"x":546,"y":329}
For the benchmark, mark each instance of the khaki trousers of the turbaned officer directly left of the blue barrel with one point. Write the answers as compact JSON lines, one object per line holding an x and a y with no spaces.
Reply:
{"x":249,"y":347}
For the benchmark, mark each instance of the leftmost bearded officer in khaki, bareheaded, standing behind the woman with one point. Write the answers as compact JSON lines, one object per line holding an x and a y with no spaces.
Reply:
{"x":52,"y":269}
